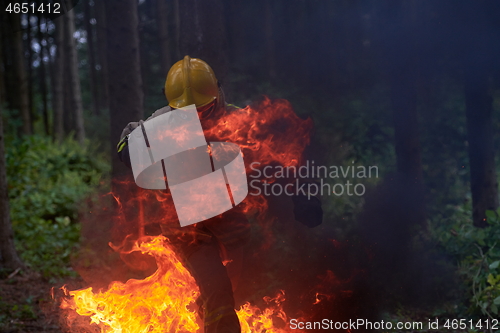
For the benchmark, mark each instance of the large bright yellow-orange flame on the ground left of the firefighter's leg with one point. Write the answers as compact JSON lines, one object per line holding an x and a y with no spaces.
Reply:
{"x":159,"y":303}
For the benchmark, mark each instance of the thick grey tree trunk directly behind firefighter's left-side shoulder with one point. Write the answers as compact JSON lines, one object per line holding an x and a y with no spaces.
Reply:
{"x":125,"y":82}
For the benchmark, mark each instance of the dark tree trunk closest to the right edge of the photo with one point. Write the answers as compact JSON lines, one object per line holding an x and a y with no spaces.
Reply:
{"x":477,"y":64}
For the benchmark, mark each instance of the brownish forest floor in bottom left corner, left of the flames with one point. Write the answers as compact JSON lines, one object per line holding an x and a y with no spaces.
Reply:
{"x":26,"y":303}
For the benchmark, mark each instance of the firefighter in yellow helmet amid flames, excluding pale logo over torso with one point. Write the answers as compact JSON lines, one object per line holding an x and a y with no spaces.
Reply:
{"x":192,"y":81}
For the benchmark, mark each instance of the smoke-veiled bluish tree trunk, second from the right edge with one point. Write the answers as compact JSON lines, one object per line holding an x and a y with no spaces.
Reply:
{"x":401,"y":53}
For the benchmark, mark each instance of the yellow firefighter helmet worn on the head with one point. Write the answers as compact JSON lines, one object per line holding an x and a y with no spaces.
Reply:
{"x":191,"y":81}
